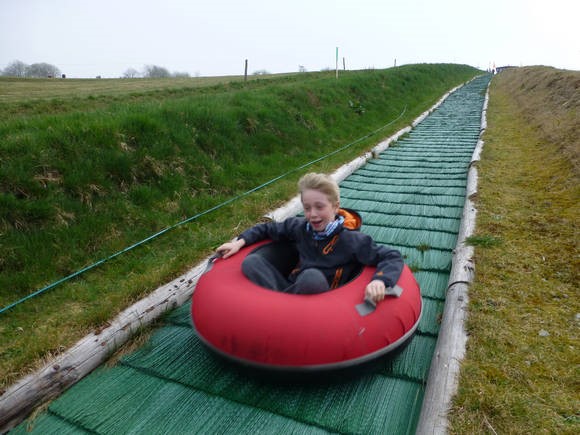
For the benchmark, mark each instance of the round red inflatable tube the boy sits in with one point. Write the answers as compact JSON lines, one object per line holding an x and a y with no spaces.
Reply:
{"x":265,"y":328}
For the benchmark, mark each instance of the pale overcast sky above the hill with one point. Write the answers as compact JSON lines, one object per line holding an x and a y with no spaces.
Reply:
{"x":213,"y":37}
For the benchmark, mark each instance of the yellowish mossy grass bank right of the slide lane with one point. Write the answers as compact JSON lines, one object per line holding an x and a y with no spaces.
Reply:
{"x":521,"y":370}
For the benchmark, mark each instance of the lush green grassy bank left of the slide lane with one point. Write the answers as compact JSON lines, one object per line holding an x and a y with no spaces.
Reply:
{"x":99,"y":173}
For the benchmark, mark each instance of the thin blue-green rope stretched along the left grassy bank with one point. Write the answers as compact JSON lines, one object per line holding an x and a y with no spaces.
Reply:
{"x":197,"y":216}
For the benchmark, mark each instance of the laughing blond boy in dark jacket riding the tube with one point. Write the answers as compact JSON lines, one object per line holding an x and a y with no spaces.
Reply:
{"x":327,"y":244}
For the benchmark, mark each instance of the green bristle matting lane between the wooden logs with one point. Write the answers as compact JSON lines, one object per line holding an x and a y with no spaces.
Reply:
{"x":411,"y":198}
